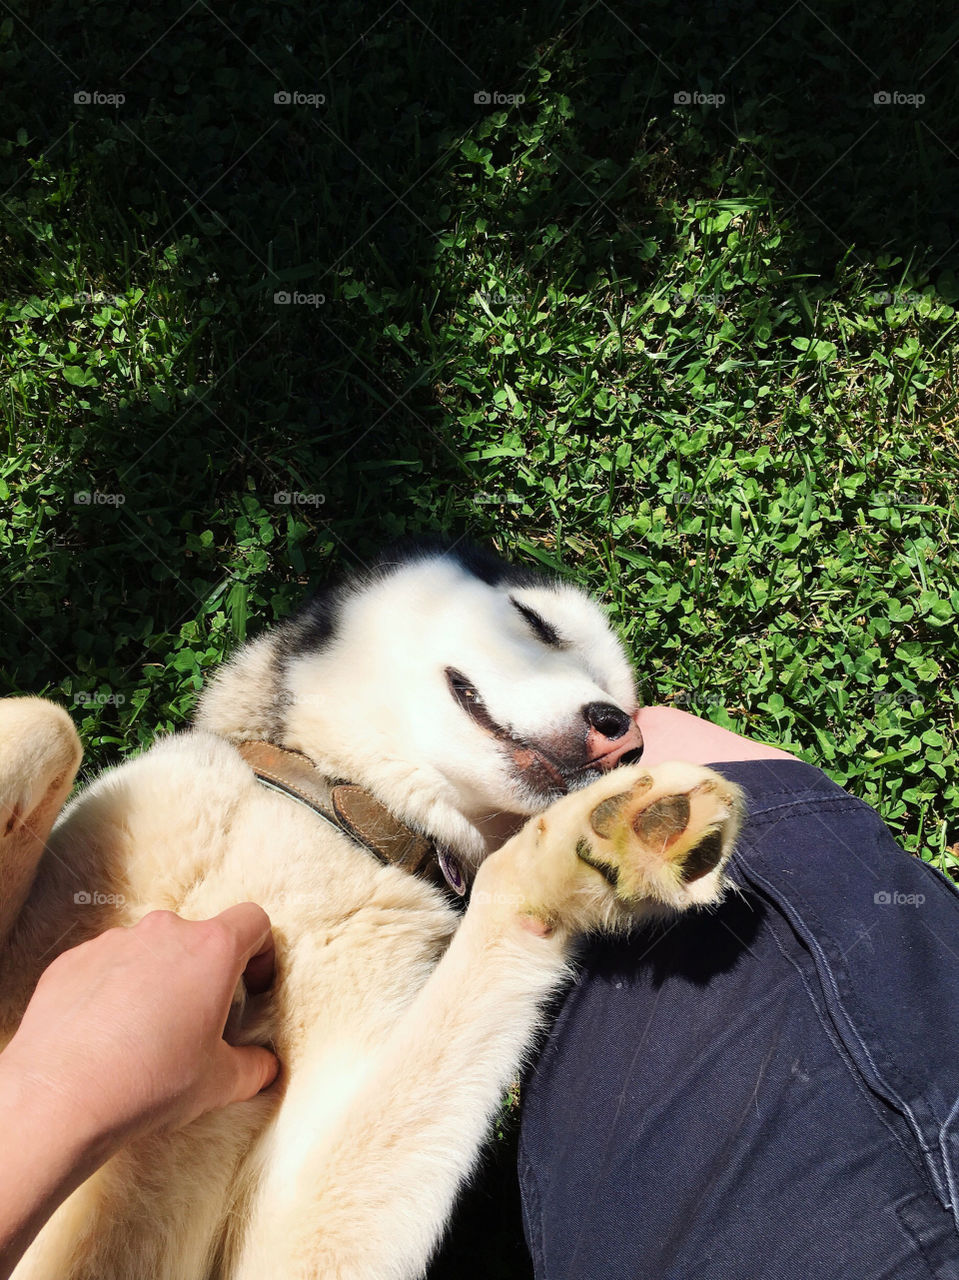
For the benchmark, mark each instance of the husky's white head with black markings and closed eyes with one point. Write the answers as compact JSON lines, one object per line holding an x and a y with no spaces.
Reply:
{"x":449,"y":683}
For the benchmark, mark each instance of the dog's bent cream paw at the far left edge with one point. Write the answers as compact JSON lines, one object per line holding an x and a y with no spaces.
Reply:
{"x":40,"y":755}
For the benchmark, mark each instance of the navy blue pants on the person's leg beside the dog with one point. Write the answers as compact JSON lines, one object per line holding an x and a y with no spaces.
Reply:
{"x":770,"y":1091}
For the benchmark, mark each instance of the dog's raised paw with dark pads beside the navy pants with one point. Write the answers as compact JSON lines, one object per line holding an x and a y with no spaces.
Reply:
{"x":634,"y":844}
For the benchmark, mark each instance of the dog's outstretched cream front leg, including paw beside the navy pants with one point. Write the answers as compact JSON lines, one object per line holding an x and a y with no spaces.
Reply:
{"x":371,"y":1199}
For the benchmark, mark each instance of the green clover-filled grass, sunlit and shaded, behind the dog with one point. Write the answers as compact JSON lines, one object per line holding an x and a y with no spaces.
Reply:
{"x":700,"y":354}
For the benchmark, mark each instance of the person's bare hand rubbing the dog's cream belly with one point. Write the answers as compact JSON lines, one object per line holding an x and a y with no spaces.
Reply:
{"x":125,"y":1032}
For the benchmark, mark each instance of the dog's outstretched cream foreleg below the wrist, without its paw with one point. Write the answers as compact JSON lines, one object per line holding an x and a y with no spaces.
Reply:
{"x":372,"y":1199}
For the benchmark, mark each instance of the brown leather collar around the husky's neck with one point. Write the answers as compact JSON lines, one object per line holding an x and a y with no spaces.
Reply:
{"x":354,"y":811}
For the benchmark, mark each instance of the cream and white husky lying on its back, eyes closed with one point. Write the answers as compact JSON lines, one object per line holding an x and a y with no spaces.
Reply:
{"x":442,"y":719}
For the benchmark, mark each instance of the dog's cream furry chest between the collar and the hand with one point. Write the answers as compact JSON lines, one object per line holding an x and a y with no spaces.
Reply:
{"x":186,"y":828}
